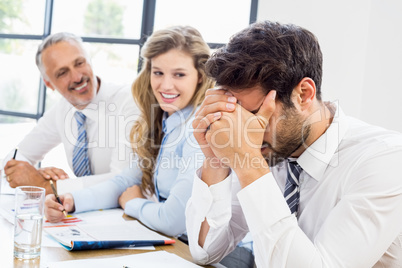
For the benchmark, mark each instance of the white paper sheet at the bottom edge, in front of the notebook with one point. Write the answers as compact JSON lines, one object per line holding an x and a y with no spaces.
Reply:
{"x":150,"y":260}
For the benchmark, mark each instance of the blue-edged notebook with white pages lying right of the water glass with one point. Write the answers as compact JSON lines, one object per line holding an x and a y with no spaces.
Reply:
{"x":108,"y":235}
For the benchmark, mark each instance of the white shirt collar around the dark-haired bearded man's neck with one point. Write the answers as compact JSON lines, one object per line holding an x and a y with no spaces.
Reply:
{"x":323,"y":152}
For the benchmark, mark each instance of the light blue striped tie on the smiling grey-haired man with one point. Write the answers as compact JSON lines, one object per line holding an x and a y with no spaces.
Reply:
{"x":80,"y":153}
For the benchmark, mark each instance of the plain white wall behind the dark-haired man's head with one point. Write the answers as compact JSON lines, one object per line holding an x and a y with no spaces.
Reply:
{"x":362,"y":45}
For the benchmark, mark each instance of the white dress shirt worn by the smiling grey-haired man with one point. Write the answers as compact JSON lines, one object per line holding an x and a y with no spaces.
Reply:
{"x":109,"y":118}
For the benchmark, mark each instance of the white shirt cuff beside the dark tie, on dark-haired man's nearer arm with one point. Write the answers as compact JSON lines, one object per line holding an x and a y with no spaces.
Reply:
{"x":263,"y":203}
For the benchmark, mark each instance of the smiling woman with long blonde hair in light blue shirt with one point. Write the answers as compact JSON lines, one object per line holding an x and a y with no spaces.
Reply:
{"x":156,"y":186}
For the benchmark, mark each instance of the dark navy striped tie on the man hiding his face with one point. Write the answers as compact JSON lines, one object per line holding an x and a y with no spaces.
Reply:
{"x":292,"y":191}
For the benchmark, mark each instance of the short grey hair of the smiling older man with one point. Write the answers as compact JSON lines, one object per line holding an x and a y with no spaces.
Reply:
{"x":51,"y":40}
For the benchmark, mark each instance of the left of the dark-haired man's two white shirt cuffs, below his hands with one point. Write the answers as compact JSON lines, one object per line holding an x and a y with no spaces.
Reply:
{"x":218,"y":194}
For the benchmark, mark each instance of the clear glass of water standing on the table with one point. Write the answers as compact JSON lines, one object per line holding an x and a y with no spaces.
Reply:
{"x":29,"y":210}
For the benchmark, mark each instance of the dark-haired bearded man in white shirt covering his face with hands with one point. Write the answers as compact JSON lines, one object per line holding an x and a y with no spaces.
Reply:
{"x":314,"y":187}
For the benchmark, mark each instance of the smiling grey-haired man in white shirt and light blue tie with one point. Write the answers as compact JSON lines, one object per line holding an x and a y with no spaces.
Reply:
{"x":92,"y":120}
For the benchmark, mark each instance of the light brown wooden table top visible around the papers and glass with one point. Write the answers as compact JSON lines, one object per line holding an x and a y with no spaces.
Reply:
{"x":49,"y":254}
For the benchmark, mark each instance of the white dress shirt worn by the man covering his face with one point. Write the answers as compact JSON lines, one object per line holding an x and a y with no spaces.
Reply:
{"x":350,"y":212}
